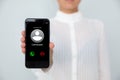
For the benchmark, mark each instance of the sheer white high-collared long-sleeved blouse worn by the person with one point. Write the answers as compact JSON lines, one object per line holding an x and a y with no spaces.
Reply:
{"x":80,"y":51}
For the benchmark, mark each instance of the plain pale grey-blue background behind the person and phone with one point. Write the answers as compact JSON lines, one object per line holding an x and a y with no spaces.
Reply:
{"x":14,"y":12}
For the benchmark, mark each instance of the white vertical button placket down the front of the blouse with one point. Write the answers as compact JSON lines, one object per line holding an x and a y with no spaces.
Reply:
{"x":74,"y":51}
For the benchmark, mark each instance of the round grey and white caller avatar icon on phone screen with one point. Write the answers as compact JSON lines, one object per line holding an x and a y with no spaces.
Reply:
{"x":37,"y":35}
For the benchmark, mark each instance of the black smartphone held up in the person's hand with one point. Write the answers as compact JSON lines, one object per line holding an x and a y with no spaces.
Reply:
{"x":37,"y":32}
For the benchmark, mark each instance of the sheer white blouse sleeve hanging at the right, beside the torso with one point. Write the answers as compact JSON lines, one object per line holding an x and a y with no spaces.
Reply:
{"x":104,"y":67}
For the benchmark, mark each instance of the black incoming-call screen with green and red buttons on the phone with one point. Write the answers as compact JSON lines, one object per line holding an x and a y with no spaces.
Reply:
{"x":37,"y":40}
